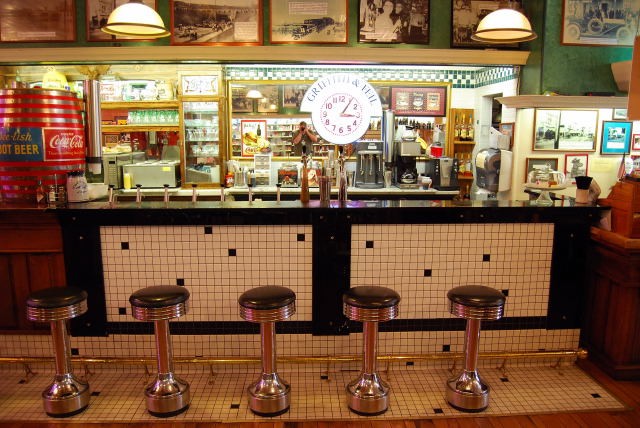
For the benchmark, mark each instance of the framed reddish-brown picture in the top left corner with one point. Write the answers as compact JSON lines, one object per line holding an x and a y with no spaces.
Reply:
{"x":37,"y":21}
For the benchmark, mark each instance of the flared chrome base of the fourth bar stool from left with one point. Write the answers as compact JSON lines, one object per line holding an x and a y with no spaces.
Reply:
{"x":368,"y":395}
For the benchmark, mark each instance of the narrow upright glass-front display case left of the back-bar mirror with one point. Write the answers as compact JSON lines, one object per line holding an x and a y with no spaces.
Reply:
{"x":201,"y":131}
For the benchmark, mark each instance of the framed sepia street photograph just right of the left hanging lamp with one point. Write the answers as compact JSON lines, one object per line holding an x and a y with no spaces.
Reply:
{"x":202,"y":22}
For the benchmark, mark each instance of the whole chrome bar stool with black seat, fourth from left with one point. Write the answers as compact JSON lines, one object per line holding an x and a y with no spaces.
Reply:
{"x":368,"y":395}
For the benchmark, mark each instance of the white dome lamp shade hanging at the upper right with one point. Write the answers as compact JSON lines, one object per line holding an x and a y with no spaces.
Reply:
{"x":504,"y":26}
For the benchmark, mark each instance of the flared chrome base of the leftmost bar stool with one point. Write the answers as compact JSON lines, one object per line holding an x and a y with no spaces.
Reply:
{"x":66,"y":396}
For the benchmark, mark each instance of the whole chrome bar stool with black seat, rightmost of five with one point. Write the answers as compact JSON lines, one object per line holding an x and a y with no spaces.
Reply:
{"x":475,"y":303}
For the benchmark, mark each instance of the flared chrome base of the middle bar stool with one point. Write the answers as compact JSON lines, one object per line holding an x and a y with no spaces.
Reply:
{"x":270,"y":395}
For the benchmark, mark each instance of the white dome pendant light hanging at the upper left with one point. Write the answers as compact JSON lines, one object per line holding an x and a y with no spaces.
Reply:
{"x":135,"y":19}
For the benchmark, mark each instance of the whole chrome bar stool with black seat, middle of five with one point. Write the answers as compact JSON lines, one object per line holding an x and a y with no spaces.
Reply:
{"x":270,"y":394}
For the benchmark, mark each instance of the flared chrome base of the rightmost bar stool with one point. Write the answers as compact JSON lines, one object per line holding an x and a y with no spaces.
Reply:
{"x":467,"y":392}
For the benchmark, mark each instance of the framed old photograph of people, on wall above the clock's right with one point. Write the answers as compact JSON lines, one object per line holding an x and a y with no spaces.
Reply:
{"x":404,"y":21}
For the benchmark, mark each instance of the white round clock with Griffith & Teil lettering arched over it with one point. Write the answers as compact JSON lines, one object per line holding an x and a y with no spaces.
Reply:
{"x":341,"y":107}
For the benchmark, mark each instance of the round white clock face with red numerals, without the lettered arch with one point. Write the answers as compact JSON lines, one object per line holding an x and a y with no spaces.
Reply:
{"x":340,"y":117}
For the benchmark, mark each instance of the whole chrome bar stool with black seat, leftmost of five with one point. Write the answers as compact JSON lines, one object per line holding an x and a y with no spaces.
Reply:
{"x":67,"y":395}
